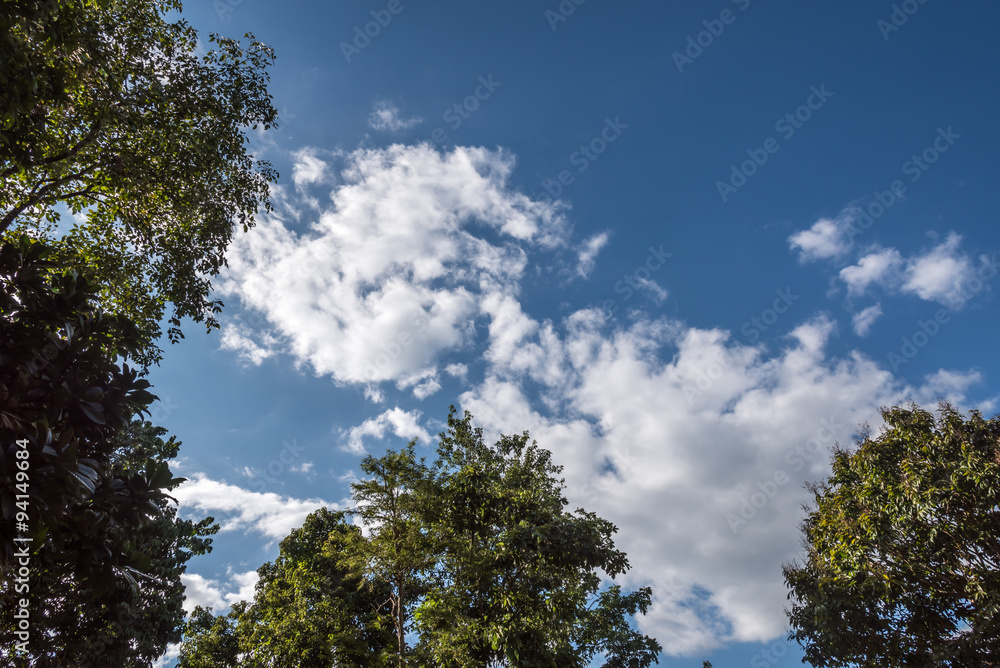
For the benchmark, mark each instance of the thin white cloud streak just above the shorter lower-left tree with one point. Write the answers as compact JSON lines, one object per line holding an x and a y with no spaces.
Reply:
{"x":238,"y":509}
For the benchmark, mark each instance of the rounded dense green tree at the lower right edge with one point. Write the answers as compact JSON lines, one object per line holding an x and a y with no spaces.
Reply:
{"x":903,"y":548}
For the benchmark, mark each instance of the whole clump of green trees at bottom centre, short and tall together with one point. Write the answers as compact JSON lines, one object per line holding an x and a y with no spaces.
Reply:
{"x":471,"y":561}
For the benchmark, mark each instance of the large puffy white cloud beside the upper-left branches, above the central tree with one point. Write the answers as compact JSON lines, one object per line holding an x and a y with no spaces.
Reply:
{"x":389,"y":276}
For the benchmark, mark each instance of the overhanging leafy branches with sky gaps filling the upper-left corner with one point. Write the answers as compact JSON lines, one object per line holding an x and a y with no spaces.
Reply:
{"x":106,"y":108}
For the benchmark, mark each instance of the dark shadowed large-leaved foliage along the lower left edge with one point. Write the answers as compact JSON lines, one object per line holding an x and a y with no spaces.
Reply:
{"x":83,"y":477}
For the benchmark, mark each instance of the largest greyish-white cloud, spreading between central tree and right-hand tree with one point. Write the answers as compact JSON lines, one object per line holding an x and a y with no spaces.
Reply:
{"x":669,"y":449}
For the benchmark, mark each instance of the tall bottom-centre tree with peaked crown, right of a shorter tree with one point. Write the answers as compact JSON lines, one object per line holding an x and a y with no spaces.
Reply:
{"x":517,"y":579}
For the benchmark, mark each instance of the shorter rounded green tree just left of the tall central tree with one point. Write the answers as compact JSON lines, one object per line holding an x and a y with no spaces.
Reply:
{"x":307,"y":611}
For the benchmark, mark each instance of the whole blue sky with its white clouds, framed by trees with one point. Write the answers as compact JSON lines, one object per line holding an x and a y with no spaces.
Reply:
{"x":686,"y":245}
